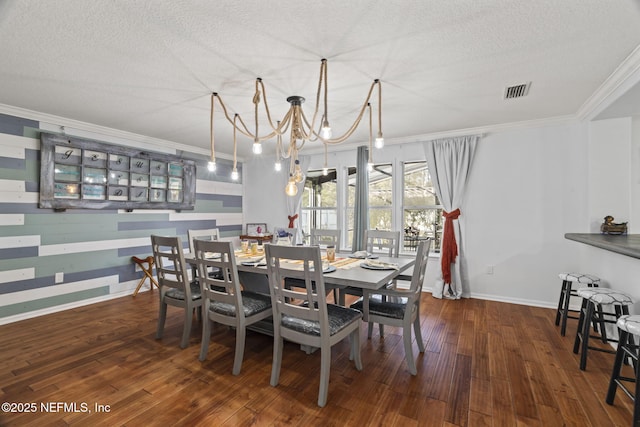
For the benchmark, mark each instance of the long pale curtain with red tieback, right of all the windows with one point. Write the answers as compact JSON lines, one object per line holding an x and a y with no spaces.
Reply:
{"x":449,"y":161}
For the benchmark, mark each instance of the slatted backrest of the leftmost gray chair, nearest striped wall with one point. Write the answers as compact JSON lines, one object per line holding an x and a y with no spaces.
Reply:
{"x":171,"y":267}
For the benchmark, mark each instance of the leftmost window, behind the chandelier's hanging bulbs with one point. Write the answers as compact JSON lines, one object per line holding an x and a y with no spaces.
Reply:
{"x":319,"y":202}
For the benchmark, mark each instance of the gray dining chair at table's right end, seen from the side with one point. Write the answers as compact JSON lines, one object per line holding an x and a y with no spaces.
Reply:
{"x":404,"y":310}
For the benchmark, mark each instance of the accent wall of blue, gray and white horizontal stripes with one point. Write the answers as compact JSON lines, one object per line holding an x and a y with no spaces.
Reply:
{"x":52,"y":261}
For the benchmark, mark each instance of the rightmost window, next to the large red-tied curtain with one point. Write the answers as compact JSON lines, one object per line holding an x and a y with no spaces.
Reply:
{"x":422,"y":212}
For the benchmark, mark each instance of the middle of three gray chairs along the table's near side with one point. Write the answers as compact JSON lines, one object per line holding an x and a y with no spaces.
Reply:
{"x":223,"y":300}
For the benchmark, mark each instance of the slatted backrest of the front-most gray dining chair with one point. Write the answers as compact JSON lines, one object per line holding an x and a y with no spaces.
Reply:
{"x":307,"y":301}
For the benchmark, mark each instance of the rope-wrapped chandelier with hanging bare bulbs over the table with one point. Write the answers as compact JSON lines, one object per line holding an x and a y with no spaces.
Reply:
{"x":300,"y":129}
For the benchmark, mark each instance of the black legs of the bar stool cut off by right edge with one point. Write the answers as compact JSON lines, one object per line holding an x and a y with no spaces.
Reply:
{"x":626,"y":348}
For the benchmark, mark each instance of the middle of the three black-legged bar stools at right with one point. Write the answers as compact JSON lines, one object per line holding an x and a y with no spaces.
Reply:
{"x":592,"y":311}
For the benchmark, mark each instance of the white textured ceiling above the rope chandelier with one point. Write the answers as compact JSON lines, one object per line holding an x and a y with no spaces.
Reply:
{"x":149,"y":67}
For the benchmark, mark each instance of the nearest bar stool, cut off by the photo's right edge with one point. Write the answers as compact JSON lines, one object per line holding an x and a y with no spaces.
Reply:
{"x":628,"y":326}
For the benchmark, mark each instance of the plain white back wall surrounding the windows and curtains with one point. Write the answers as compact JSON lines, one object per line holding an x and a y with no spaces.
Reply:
{"x":528,"y":188}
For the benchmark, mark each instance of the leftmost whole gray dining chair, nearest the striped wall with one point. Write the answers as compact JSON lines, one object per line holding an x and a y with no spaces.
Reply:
{"x":173,"y":280}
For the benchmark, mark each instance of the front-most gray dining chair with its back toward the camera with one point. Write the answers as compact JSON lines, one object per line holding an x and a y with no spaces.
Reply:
{"x":302,"y":315}
